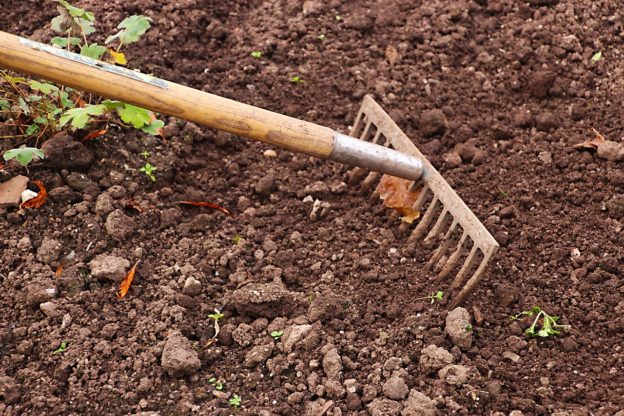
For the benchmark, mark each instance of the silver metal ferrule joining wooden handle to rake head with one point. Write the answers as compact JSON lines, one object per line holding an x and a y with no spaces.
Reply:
{"x":370,"y":156}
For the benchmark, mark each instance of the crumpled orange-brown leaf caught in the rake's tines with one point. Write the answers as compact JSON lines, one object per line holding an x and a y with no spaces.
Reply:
{"x":396,"y":194}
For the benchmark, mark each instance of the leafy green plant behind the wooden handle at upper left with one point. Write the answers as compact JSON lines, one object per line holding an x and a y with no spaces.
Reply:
{"x":39,"y":109}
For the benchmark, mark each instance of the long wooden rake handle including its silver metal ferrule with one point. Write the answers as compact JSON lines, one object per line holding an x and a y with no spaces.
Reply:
{"x":67,"y":68}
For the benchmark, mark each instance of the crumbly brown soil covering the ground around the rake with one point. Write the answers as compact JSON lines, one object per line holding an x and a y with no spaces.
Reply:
{"x":343,"y":293}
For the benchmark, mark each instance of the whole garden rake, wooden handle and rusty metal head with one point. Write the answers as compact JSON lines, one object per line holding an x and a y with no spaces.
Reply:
{"x":382,"y":148}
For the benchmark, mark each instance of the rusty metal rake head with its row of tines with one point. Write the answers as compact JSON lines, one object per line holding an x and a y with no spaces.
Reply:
{"x":462,"y":239}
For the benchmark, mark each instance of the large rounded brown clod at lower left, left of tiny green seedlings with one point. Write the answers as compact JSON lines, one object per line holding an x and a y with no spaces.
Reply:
{"x":178,"y":357}
